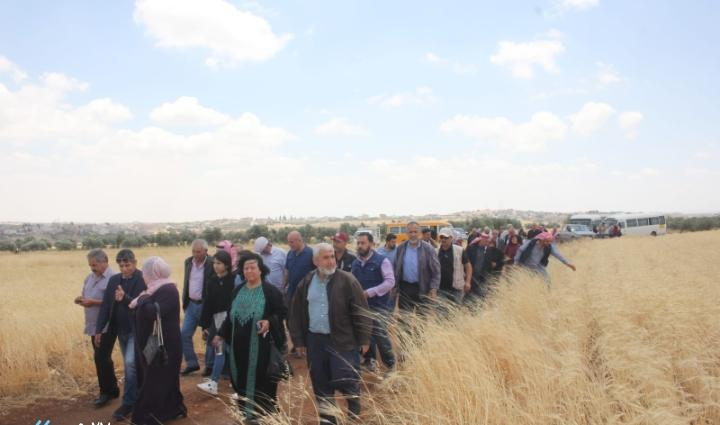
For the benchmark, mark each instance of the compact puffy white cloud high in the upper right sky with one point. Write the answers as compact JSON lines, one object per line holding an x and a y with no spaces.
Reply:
{"x":522,"y":58}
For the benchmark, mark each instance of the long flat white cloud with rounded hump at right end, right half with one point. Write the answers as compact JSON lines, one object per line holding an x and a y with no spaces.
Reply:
{"x":532,"y":135}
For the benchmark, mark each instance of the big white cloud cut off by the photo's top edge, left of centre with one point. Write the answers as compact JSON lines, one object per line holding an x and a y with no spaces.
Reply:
{"x":232,"y":35}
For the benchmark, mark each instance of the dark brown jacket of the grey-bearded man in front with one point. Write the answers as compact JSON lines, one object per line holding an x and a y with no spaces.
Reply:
{"x":350,"y":322}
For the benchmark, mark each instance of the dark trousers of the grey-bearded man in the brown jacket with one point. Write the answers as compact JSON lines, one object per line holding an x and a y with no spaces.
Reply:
{"x":332,"y":370}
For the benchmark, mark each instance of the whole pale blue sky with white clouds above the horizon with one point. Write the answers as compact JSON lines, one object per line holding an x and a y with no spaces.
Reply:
{"x":175,"y":110}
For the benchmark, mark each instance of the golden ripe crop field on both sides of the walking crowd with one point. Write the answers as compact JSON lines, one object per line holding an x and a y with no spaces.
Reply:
{"x":632,"y":337}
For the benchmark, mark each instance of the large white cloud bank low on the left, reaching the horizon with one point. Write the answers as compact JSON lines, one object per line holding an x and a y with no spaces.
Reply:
{"x":70,"y":156}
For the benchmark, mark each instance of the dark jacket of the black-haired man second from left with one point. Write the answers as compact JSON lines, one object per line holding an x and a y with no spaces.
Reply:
{"x":117,"y":316}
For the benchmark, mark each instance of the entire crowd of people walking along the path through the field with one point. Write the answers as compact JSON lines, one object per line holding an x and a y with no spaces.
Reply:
{"x":331,"y":305}
